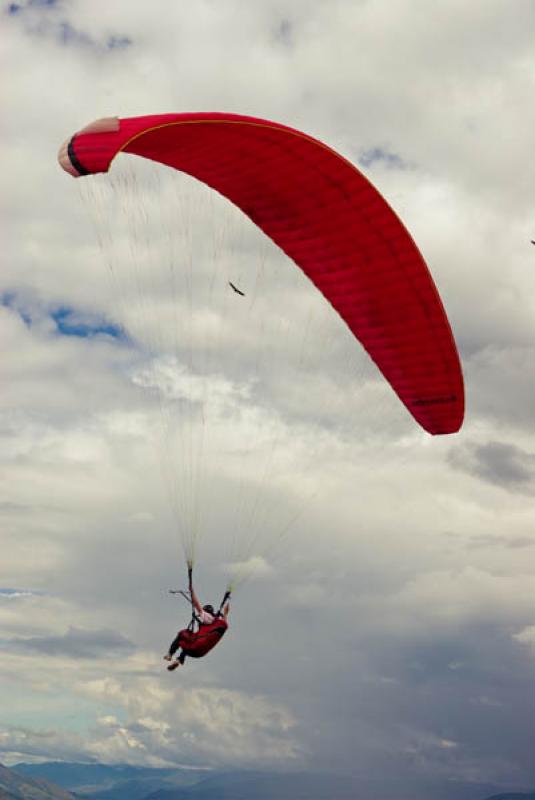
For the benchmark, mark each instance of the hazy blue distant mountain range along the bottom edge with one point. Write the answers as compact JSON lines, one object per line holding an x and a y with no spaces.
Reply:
{"x":124,"y":782}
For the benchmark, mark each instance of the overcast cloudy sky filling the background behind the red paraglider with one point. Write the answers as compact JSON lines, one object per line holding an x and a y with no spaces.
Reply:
{"x":389,"y":628}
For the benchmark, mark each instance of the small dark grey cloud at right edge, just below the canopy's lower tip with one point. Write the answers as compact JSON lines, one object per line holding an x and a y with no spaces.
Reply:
{"x":501,"y":464}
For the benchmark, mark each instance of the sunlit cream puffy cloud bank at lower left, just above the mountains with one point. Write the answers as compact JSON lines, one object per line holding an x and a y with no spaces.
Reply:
{"x":155,"y":727}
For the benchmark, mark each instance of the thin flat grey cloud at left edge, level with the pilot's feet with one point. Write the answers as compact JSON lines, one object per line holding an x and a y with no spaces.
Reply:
{"x":76,"y":643}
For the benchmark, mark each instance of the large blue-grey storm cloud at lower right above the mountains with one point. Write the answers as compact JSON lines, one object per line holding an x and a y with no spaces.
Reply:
{"x":444,"y":695}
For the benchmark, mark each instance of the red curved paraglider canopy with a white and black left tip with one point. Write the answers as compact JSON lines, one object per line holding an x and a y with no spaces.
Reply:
{"x":324,"y":214}
